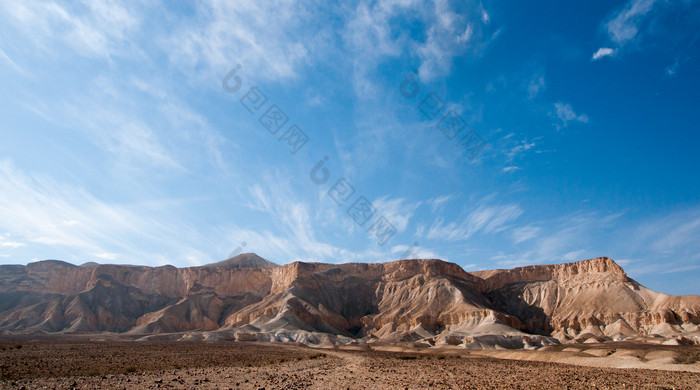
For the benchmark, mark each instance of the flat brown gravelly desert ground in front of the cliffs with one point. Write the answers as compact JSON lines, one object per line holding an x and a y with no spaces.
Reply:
{"x":224,"y":365}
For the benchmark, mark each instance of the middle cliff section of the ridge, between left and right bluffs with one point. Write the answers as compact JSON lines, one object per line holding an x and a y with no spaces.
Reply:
{"x":356,"y":299}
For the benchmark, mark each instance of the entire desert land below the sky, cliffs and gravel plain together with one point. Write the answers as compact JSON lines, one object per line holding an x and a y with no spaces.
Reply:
{"x":246,"y":323}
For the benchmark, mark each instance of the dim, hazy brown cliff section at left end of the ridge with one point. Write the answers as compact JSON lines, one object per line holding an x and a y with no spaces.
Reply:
{"x":55,"y":296}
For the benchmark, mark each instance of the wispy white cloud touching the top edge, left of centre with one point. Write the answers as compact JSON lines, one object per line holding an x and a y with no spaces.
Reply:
{"x":269,"y":39}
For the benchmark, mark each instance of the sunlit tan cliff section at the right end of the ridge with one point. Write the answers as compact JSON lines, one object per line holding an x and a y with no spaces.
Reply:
{"x":589,"y":299}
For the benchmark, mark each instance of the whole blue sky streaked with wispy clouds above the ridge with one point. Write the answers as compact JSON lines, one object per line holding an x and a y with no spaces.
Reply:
{"x":571,"y":133}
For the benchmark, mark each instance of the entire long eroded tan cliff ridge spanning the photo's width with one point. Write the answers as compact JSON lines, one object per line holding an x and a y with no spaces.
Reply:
{"x":429,"y":301}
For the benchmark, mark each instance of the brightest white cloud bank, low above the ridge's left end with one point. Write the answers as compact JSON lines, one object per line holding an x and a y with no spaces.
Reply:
{"x":36,"y":207}
